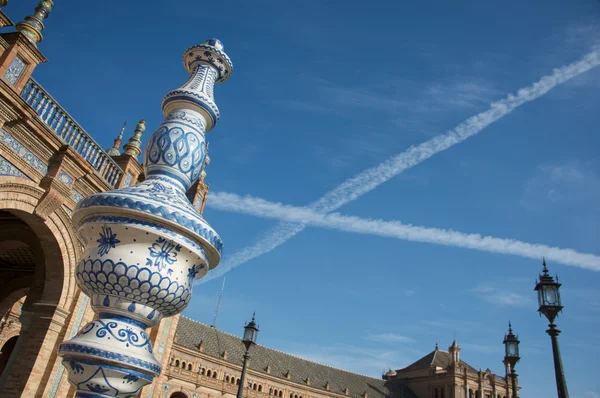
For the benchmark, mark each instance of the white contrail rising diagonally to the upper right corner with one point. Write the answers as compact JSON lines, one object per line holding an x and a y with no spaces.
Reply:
{"x":373,"y":177}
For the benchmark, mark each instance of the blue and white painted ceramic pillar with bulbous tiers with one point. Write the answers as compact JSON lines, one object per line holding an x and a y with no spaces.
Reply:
{"x":145,"y":245}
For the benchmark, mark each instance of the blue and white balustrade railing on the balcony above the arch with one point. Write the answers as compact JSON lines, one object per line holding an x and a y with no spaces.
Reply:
{"x":70,"y":132}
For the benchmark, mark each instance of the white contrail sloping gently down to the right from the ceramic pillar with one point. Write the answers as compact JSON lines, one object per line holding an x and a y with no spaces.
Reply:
{"x":396,"y":229}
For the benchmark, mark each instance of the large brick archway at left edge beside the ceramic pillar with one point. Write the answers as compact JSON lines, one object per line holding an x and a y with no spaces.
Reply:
{"x":37,"y":259}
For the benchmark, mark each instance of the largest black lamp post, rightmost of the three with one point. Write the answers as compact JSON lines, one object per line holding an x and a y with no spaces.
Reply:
{"x":550,"y":306}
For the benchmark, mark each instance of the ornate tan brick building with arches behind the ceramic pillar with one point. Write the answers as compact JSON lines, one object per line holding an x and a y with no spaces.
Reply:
{"x":49,"y":164}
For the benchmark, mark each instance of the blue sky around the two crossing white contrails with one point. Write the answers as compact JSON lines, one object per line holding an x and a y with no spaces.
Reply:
{"x":324,"y":90}
